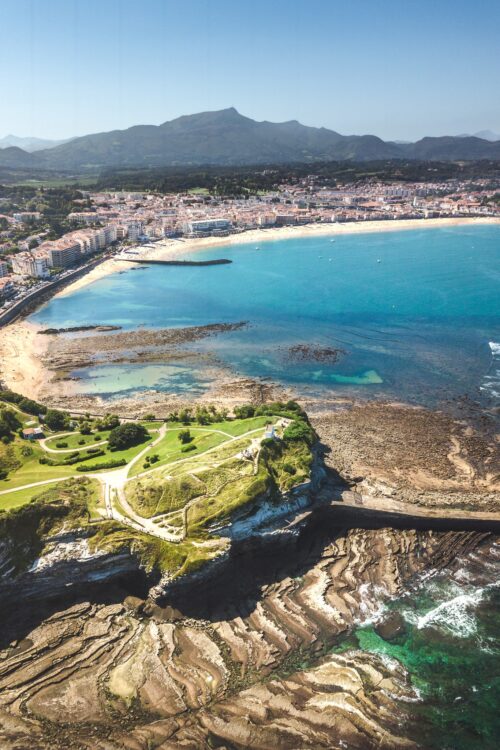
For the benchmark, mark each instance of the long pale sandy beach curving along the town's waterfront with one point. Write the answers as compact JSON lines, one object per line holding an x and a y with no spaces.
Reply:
{"x":169,"y":249}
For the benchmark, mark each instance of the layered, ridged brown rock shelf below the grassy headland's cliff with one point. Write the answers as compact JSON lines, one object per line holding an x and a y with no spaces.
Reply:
{"x":106,"y":670}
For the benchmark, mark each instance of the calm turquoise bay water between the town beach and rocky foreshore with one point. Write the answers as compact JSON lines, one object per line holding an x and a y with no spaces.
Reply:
{"x":417,"y":313}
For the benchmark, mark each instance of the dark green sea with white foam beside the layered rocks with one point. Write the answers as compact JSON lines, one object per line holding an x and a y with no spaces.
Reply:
{"x":451,"y":650}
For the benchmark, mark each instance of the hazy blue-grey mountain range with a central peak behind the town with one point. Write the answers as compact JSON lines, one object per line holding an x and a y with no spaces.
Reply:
{"x":225,"y":137}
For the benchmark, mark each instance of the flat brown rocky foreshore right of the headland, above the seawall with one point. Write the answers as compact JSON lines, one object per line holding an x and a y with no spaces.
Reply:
{"x":414,"y":455}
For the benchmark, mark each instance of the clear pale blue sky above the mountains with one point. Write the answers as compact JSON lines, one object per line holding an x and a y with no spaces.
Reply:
{"x":396,"y":68}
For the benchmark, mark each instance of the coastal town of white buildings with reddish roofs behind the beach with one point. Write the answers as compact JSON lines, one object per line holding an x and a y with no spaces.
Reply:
{"x":112,"y":223}
